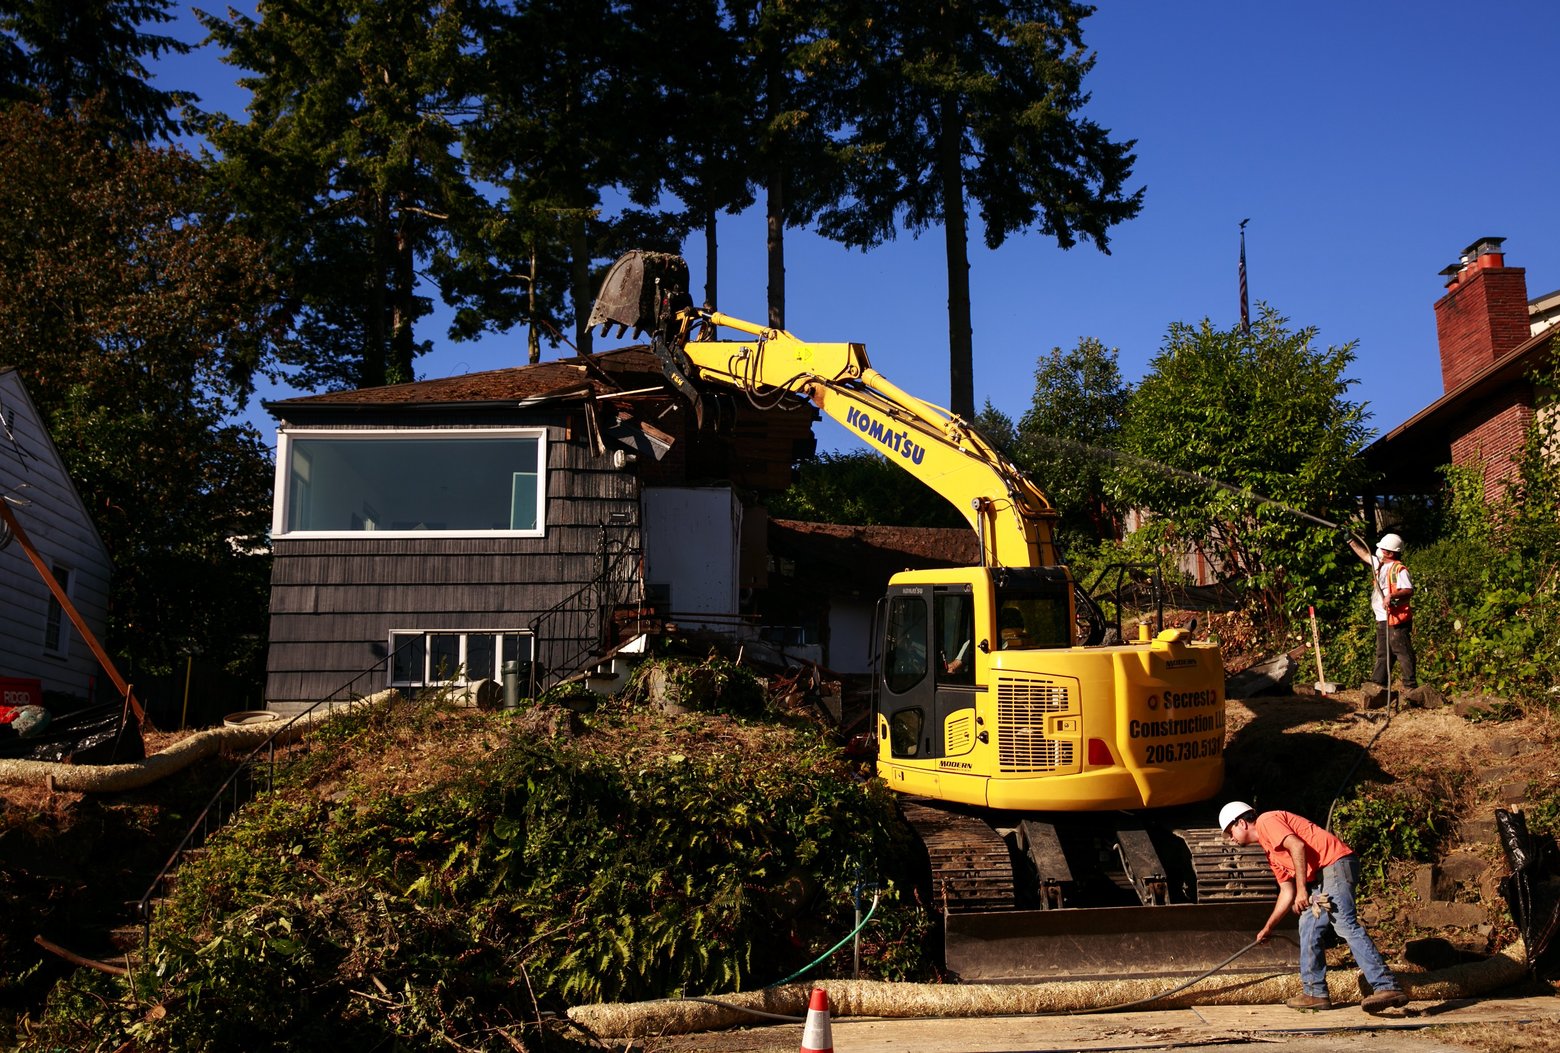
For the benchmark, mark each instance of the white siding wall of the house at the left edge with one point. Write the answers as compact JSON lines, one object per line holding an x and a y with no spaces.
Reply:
{"x":48,"y":506}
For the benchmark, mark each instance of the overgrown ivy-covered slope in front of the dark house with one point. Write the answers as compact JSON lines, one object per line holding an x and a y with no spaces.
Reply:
{"x":428,"y":874}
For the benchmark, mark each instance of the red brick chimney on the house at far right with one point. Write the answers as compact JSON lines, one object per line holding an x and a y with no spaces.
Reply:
{"x":1484,"y":313}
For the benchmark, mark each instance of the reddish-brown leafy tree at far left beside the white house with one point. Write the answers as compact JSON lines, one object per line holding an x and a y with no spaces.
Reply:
{"x":138,"y":317}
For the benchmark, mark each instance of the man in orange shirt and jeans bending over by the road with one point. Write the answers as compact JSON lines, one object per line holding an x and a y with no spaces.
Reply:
{"x":1316,"y":879}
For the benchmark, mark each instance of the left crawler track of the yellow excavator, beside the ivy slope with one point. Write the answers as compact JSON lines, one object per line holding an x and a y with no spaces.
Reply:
{"x":971,"y":868}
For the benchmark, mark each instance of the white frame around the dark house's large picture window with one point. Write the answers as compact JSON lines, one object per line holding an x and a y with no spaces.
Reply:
{"x":286,"y":478}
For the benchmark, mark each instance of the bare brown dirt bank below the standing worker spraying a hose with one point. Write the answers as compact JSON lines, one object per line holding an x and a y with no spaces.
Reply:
{"x":1456,"y":764}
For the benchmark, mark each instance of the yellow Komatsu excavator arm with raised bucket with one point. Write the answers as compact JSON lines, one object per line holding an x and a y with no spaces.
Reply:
{"x":1012,"y":517}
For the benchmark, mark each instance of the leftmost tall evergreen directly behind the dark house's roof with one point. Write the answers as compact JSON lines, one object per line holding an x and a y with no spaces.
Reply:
{"x":350,"y":168}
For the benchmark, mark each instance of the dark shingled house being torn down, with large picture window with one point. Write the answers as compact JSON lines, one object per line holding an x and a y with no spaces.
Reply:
{"x":434,"y":531}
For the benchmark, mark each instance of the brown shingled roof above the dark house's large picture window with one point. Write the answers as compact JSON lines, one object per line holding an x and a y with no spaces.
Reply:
{"x":583,"y":377}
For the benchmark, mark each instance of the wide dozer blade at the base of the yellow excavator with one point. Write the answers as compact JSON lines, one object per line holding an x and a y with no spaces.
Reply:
{"x":1115,"y":943}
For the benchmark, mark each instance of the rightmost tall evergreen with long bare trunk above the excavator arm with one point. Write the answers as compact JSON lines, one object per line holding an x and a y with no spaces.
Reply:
{"x":974,"y":102}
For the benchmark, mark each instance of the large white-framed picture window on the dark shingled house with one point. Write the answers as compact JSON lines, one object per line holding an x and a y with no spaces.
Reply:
{"x":413,"y":483}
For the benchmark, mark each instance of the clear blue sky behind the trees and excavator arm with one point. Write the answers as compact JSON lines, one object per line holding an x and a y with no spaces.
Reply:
{"x":1367,"y":144}
